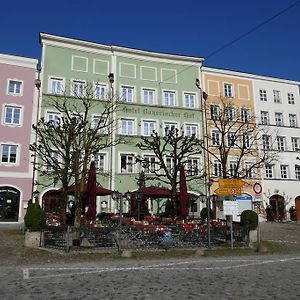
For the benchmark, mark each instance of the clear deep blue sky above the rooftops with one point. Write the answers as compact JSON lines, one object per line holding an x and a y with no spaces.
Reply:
{"x":191,"y":27}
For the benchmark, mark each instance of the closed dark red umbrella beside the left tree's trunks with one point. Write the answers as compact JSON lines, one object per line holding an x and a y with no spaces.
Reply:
{"x":91,"y":192}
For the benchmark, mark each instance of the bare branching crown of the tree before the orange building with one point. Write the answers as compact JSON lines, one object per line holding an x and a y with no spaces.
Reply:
{"x":235,"y":141}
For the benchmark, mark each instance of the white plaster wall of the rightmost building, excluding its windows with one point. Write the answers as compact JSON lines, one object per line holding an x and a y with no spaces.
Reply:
{"x":289,"y":187}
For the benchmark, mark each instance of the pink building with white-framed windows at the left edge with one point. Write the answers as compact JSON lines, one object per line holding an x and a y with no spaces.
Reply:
{"x":18,"y":108}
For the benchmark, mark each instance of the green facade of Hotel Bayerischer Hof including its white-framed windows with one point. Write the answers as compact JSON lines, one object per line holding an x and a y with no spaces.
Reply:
{"x":156,"y":91}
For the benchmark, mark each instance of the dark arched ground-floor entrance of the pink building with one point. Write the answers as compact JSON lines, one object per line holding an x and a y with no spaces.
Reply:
{"x":9,"y":204}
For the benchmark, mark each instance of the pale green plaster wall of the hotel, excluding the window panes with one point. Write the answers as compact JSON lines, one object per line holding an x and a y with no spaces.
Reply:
{"x":70,"y":59}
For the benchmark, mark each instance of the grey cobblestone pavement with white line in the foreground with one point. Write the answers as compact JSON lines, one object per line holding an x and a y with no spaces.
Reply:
{"x":262,"y":276}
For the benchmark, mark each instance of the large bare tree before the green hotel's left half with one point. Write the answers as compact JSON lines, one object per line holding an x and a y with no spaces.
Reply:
{"x":70,"y":136}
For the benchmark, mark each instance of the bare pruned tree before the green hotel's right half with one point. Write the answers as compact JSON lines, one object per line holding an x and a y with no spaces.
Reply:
{"x":170,"y":152}
